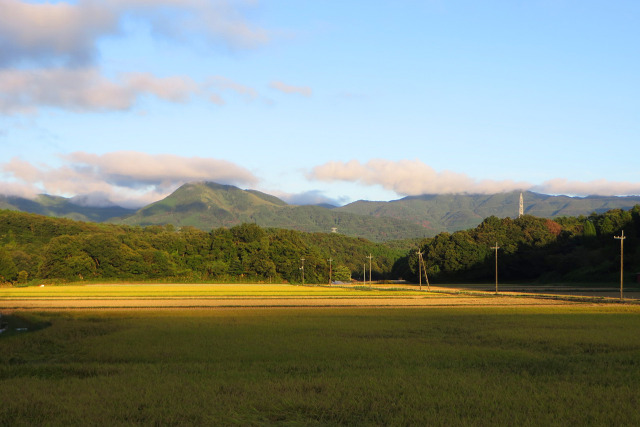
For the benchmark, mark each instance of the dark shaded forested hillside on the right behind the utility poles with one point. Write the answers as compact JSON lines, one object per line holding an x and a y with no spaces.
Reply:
{"x":569,"y":249}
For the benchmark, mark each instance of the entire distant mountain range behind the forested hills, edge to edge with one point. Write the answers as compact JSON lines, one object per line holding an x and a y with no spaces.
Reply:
{"x":208,"y":205}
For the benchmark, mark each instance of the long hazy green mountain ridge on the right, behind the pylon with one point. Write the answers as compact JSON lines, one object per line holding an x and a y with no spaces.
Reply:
{"x":451,"y":212}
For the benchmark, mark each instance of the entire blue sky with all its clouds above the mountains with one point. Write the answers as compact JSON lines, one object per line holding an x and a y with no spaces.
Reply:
{"x":319,"y":101}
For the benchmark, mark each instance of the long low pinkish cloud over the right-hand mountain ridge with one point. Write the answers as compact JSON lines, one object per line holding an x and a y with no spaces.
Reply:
{"x":413,"y":177}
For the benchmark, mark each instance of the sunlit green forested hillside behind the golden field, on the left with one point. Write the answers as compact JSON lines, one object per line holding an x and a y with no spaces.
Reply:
{"x":34,"y":247}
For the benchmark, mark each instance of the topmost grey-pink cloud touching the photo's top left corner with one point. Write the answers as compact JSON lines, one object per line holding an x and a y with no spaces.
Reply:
{"x":66,"y":33}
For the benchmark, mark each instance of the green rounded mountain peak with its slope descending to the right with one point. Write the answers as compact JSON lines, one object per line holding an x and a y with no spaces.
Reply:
{"x":209,"y":205}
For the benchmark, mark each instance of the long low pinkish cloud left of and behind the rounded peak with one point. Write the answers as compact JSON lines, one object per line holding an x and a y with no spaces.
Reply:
{"x":128,"y":178}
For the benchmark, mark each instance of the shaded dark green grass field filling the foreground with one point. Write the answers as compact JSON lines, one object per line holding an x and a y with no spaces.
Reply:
{"x":325,"y":366}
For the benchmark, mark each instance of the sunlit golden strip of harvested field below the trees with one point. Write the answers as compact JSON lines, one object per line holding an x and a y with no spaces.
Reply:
{"x":252,"y":295}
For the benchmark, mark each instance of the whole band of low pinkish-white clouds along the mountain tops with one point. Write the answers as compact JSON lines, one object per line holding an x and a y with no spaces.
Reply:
{"x":133,"y":179}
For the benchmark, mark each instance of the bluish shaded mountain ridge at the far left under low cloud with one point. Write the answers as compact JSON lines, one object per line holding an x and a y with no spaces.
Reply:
{"x":63,"y":207}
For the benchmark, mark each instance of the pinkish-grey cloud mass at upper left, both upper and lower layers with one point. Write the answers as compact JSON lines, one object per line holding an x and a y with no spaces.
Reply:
{"x":48,"y":51}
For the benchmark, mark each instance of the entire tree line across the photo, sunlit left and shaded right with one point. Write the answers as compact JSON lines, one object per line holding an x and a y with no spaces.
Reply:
{"x":567,"y":249}
